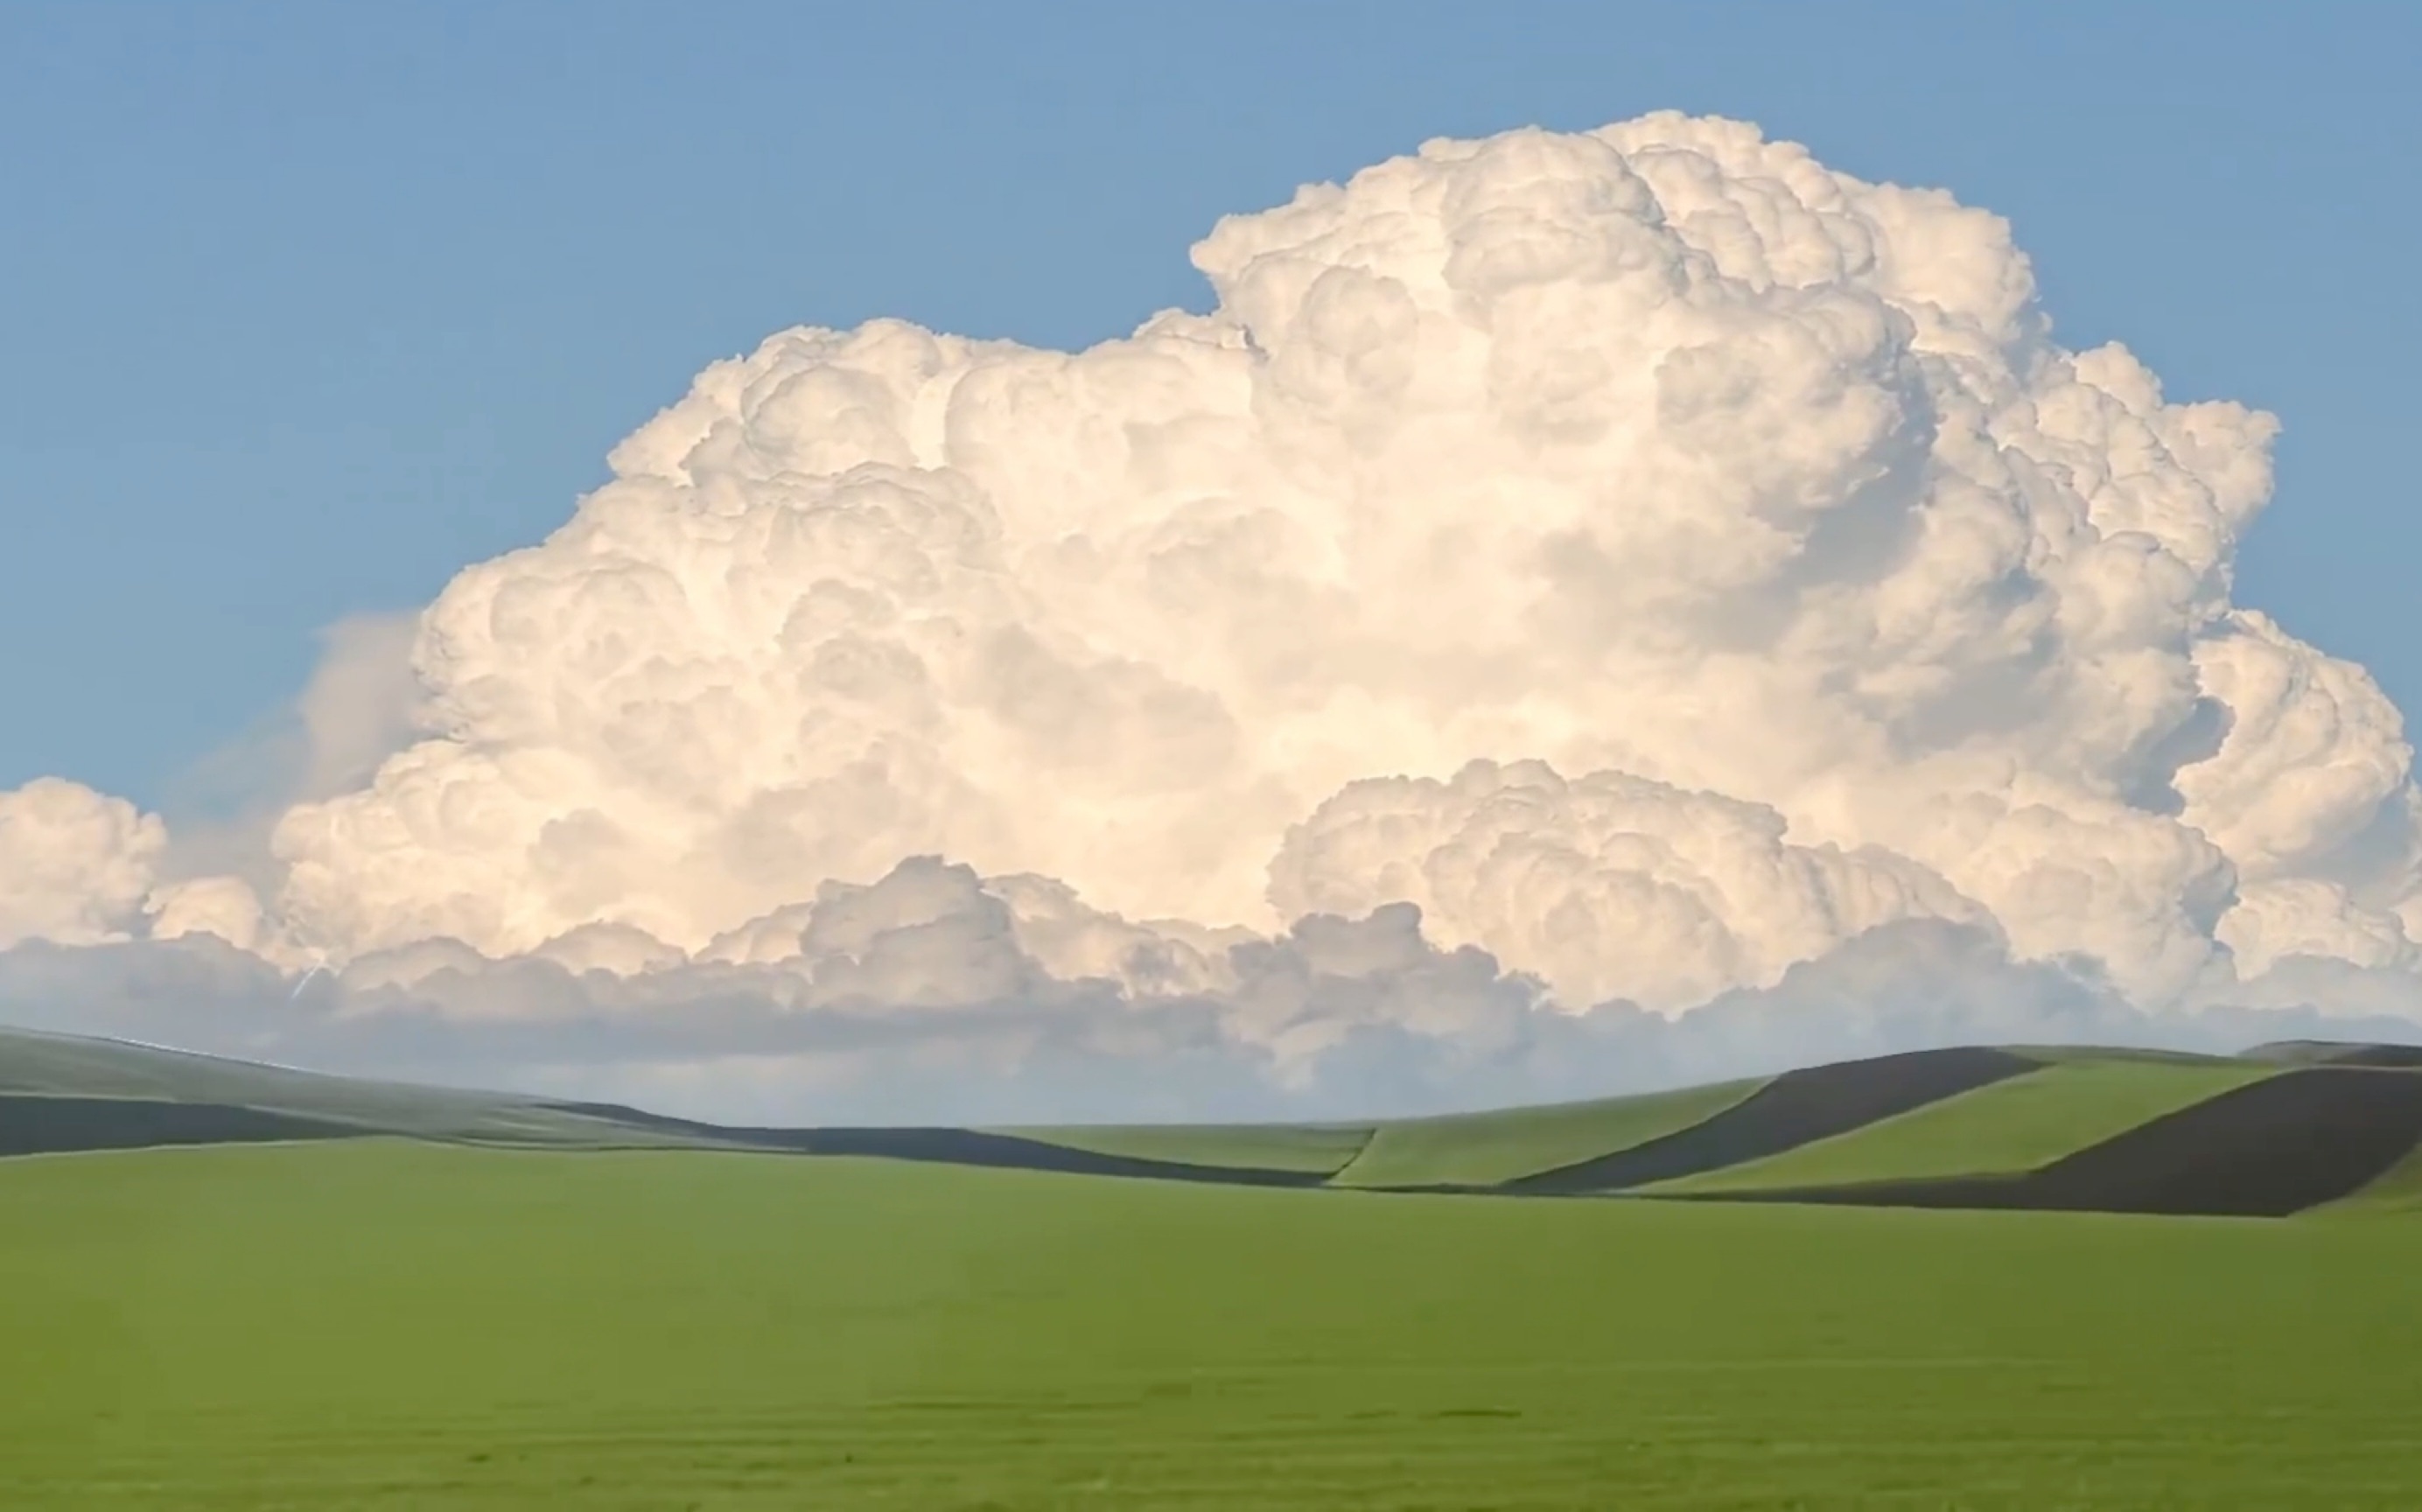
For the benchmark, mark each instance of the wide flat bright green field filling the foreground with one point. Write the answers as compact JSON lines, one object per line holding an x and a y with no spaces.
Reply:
{"x":384,"y":1324}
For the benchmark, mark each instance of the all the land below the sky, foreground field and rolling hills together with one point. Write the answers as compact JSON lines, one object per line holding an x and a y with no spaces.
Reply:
{"x":372,"y":1295}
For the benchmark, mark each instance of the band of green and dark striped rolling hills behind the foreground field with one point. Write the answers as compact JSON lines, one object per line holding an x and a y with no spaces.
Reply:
{"x":2271,"y":1133}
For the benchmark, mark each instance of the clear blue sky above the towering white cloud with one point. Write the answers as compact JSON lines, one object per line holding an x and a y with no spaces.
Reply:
{"x":306,"y":307}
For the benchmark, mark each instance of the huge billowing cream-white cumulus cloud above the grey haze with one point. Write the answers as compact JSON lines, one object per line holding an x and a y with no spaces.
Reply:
{"x":1646,"y":561}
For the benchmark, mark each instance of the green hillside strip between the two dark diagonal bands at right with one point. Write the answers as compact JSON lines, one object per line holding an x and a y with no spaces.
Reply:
{"x":1999,"y":1130}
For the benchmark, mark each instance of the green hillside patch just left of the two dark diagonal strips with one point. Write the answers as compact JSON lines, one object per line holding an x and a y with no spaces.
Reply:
{"x":1483,"y":1150}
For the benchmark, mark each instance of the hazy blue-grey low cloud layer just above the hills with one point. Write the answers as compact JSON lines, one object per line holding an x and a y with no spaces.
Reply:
{"x":1319,"y":1026}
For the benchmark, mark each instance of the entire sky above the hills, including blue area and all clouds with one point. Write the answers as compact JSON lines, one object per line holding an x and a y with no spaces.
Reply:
{"x":1094,"y":561}
